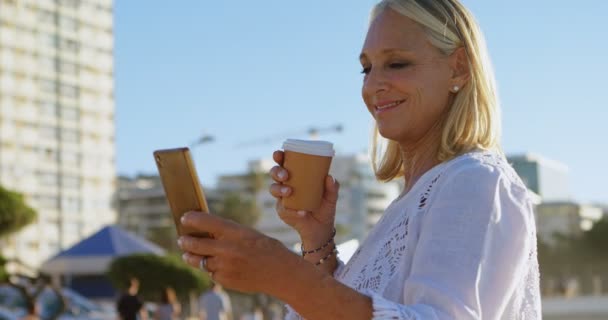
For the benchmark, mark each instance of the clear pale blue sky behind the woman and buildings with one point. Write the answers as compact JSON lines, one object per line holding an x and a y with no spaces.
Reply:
{"x":243,"y":70}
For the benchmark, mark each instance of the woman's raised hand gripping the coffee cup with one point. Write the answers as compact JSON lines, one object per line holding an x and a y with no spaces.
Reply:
{"x":314,"y":228}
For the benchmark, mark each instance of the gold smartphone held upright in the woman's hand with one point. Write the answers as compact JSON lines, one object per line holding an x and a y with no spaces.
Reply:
{"x":182,"y":187}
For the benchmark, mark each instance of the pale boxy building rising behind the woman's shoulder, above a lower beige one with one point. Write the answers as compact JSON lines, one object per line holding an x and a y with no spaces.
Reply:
{"x":545,"y":177}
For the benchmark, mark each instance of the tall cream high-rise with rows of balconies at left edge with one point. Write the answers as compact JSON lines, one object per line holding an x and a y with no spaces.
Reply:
{"x":57,"y":120}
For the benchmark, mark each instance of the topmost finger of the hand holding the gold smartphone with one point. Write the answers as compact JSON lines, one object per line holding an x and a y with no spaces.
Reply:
{"x":220,"y":228}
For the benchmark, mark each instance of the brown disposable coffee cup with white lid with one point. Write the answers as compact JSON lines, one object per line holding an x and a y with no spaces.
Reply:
{"x":307,"y":163}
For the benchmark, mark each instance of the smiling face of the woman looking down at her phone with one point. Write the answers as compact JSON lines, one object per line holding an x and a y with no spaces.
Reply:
{"x":407,"y":81}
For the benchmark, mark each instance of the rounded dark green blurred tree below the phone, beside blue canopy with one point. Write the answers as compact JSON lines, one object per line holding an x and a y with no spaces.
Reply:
{"x":155,"y":273}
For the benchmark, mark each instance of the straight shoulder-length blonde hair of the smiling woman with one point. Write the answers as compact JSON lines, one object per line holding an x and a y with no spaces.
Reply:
{"x":473,"y":120}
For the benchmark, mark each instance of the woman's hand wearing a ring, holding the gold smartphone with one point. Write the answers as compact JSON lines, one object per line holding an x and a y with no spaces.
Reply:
{"x":238,"y":257}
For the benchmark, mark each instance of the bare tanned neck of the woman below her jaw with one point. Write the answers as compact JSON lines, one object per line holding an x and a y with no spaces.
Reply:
{"x":420,"y":156}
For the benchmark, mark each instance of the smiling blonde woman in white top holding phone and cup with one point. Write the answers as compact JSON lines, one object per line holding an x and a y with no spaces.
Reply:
{"x":458,"y":243}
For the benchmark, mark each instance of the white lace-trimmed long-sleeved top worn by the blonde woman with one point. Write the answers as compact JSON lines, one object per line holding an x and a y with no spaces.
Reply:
{"x":461,"y":244}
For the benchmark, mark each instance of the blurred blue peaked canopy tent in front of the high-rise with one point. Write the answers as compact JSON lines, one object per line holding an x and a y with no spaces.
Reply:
{"x":83,"y":266}
